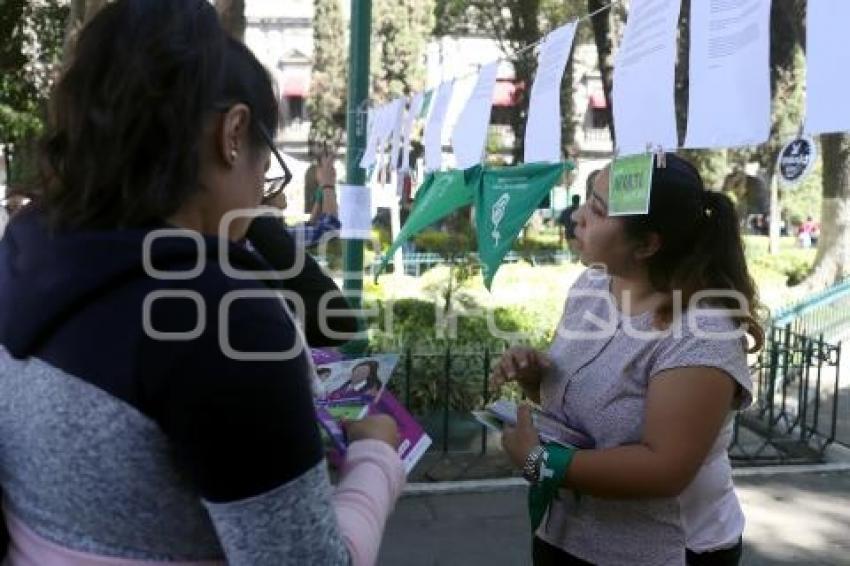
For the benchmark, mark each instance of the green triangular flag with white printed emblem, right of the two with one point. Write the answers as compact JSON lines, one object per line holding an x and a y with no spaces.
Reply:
{"x":506,"y":199}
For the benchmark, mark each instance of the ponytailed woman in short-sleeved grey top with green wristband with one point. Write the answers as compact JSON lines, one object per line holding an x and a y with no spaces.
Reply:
{"x":649,"y":359}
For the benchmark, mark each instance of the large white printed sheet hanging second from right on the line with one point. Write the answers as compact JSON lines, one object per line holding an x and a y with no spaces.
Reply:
{"x":729,"y":73}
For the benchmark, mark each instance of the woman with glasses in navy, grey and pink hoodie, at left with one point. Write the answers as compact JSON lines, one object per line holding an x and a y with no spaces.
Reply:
{"x":155,"y":398}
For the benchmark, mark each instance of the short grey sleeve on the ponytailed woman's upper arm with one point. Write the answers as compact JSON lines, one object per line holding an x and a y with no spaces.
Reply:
{"x":709,"y":338}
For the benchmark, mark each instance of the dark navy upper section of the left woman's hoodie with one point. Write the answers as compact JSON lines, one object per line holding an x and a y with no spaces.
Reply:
{"x":75,"y":300}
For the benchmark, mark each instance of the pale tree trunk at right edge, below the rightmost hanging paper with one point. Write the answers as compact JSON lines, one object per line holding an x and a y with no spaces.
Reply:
{"x":832,"y":261}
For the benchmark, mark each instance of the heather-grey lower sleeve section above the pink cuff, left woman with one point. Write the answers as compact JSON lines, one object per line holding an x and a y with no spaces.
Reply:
{"x":294,"y":524}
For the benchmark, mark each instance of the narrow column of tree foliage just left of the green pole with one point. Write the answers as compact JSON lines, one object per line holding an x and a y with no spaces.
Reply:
{"x":327,"y":98}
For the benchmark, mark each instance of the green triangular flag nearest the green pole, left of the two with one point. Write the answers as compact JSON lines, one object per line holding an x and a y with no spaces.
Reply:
{"x":441,"y":194}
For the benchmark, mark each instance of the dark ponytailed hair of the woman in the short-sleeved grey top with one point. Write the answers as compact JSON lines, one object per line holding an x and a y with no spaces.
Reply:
{"x":701,"y":247}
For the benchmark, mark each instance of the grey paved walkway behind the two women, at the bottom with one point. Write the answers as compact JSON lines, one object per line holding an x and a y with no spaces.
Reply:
{"x":799,"y":519}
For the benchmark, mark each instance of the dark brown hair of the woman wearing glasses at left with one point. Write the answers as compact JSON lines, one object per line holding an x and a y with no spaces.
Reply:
{"x":123,"y":140}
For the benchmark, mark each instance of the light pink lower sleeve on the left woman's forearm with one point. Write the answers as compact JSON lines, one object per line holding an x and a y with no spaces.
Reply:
{"x":372,"y":479}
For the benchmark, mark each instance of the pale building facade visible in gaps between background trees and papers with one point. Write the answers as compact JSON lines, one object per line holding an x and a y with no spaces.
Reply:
{"x":281,"y":35}
